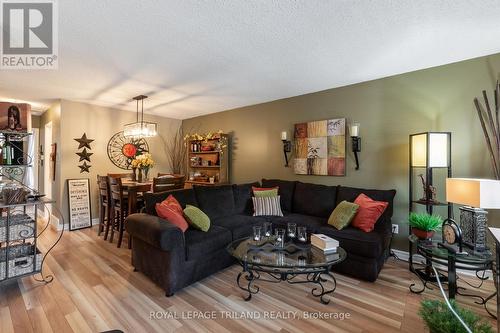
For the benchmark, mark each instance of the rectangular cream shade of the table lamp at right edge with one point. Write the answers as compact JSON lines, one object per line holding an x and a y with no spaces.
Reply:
{"x":478,"y":193}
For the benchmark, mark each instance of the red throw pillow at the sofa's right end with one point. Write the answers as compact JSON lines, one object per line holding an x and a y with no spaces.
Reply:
{"x":368,"y":213}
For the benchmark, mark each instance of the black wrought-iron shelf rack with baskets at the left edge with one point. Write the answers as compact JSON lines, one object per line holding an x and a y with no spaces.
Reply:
{"x":19,"y":225}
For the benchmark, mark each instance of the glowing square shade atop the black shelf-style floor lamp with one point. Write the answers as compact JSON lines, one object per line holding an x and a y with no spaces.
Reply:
{"x":430,"y":149}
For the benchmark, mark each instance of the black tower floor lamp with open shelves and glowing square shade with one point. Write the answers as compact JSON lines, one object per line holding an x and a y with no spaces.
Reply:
{"x":430,"y":163}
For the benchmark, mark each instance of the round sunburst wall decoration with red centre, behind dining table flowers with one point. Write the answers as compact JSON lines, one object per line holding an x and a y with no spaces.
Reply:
{"x":122,"y":150}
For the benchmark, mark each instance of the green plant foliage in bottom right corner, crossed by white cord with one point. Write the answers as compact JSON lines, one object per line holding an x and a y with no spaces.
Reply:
{"x":439,"y":318}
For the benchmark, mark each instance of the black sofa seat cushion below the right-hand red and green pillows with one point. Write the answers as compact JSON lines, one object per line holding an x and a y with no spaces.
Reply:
{"x":355,"y":241}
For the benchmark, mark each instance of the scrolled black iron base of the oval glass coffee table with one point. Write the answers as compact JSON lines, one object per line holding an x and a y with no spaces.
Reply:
{"x":250,"y":275}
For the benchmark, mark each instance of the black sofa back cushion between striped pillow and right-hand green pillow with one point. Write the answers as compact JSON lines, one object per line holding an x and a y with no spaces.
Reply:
{"x":314,"y":200}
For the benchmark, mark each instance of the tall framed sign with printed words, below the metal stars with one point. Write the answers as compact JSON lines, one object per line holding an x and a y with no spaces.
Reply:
{"x":79,"y":204}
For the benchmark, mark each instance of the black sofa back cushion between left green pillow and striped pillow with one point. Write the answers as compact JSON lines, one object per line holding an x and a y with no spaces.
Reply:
{"x":215,"y":201}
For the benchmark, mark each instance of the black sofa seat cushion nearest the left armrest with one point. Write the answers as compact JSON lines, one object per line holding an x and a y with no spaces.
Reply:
{"x":200,"y":244}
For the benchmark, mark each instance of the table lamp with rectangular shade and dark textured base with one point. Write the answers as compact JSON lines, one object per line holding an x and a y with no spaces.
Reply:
{"x":476,"y":195}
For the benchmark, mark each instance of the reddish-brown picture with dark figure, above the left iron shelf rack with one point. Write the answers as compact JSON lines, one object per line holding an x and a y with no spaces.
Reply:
{"x":15,"y":117}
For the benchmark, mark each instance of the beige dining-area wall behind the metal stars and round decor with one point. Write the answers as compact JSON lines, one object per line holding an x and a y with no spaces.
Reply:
{"x":100,"y":124}
